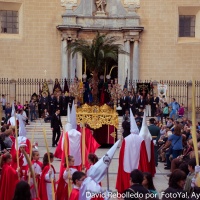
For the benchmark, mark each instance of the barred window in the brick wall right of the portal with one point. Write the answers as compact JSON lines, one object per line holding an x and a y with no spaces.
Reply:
{"x":187,"y":25}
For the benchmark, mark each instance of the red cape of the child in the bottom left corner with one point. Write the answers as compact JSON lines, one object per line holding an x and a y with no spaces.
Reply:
{"x":8,"y":181}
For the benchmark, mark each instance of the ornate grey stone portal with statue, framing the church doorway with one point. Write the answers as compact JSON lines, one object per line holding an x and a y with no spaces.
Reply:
{"x":83,"y":18}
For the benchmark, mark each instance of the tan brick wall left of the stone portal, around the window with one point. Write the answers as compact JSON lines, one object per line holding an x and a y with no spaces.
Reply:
{"x":37,"y":47}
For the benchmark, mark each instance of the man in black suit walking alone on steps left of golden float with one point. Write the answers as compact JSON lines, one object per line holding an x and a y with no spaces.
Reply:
{"x":56,"y":124}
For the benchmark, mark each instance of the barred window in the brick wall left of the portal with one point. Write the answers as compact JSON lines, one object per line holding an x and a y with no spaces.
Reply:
{"x":9,"y":22}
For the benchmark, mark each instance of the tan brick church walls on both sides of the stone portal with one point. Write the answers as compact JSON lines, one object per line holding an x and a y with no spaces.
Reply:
{"x":37,"y":48}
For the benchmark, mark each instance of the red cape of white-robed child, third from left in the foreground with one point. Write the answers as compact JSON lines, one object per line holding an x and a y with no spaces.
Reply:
{"x":42,"y":187}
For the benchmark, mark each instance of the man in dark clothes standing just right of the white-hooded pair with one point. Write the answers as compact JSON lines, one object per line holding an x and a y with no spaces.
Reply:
{"x":155,"y":133}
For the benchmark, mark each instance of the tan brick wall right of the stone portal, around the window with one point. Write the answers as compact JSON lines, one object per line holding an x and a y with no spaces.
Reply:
{"x":162,"y":54}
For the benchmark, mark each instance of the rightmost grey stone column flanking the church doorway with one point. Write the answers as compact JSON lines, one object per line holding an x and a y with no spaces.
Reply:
{"x":136,"y":60}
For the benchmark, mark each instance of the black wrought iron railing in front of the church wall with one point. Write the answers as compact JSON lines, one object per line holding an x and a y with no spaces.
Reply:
{"x":24,"y":88}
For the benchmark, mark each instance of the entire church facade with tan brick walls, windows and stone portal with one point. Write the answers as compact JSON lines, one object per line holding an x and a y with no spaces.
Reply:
{"x":162,"y":37}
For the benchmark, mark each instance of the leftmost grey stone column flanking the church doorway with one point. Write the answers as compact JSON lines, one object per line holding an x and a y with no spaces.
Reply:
{"x":64,"y":59}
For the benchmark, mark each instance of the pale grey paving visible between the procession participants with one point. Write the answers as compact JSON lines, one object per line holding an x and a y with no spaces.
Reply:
{"x":160,"y":179}
